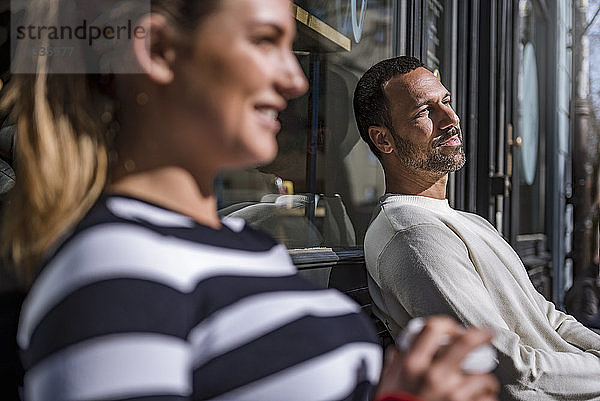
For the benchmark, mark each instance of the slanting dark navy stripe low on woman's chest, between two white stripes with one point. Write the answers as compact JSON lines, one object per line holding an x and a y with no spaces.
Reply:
{"x":287,"y":346}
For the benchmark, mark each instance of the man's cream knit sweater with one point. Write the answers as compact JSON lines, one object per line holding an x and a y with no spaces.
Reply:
{"x":426,"y":258}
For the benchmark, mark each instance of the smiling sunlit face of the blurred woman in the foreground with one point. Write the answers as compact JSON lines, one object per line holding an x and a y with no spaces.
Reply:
{"x":238,"y":76}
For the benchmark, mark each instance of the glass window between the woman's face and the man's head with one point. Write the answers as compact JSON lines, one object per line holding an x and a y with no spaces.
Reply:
{"x":321,"y":188}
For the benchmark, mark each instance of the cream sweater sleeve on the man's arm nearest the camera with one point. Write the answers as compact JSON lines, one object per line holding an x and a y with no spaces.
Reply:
{"x":426,"y":270}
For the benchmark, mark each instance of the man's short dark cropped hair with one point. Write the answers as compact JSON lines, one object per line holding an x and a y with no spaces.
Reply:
{"x":371,"y":106}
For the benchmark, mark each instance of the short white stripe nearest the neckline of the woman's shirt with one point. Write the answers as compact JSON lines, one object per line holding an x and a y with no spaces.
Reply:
{"x":136,"y":210}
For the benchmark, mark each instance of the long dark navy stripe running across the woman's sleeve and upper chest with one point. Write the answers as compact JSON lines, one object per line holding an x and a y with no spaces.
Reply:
{"x":134,"y":305}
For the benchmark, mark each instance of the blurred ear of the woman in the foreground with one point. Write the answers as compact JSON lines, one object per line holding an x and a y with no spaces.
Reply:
{"x":154,"y":50}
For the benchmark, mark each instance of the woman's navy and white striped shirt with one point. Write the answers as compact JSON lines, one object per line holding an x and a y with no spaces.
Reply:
{"x":141,"y":302}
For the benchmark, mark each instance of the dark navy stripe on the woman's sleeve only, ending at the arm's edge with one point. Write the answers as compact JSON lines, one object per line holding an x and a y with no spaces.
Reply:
{"x":107,"y":307}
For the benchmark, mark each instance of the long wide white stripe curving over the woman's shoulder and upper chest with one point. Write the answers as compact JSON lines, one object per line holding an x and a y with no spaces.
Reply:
{"x":120,"y":250}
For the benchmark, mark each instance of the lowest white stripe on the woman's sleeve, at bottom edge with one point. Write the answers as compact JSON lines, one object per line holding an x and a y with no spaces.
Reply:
{"x":116,"y":366}
